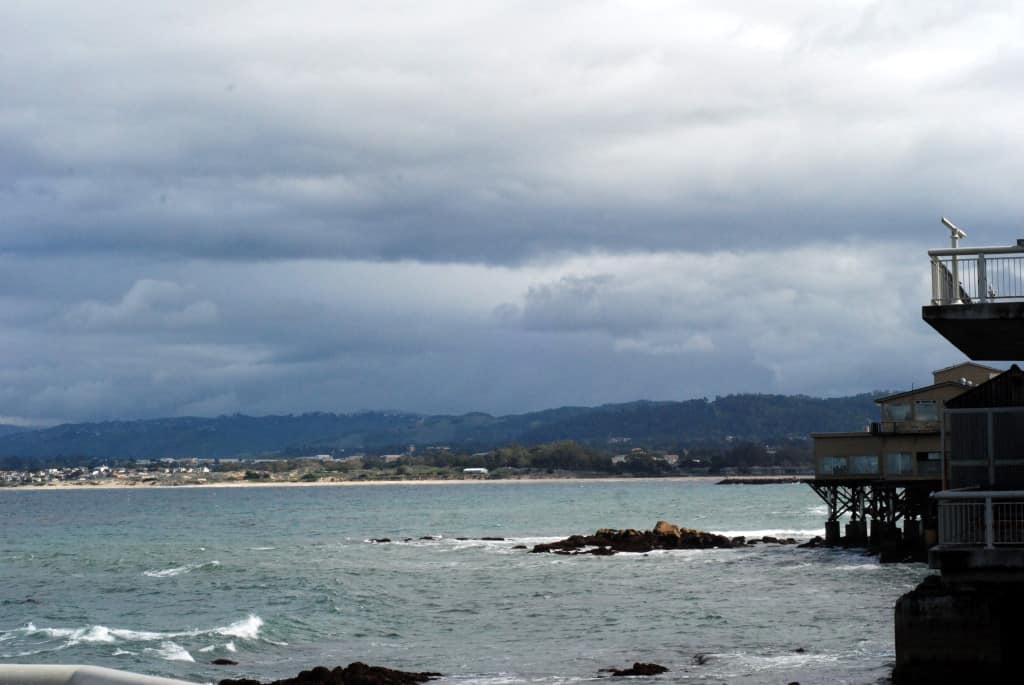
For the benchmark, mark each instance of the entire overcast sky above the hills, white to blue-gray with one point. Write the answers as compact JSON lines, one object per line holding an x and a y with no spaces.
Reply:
{"x":263,"y":207}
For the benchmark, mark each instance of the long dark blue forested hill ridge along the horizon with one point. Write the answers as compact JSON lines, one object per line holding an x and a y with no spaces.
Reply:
{"x":745,"y":417}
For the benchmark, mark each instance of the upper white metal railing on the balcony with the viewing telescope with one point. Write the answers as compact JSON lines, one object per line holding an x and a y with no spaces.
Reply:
{"x":966,"y":276}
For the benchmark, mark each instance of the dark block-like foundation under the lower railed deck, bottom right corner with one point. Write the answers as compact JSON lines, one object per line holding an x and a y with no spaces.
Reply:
{"x":959,"y":633}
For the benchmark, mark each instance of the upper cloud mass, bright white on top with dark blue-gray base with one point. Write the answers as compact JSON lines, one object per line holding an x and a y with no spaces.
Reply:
{"x":496,"y":134}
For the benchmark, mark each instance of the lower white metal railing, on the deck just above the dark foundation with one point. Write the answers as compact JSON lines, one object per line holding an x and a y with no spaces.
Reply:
{"x":982,"y":518}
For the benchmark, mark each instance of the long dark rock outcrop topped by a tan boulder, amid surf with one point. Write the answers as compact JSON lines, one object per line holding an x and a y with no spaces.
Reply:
{"x":609,"y":541}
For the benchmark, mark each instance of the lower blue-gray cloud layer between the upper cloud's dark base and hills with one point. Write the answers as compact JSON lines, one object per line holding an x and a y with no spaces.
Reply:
{"x":344,"y":336}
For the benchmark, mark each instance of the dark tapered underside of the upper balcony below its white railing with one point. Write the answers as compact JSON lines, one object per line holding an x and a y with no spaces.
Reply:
{"x":986,"y":331}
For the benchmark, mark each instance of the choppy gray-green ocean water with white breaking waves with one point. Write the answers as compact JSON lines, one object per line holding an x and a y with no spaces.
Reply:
{"x":284,"y":579}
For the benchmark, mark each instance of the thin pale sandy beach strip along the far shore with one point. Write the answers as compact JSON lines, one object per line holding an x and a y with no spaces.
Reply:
{"x":113,"y":485}
